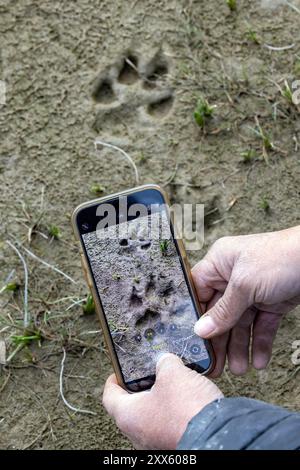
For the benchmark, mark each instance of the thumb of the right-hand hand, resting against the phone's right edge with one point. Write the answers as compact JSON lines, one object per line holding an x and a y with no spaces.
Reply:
{"x":224,"y":314}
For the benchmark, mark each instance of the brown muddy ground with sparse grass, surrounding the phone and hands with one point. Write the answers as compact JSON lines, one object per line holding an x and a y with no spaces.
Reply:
{"x":66,"y":84}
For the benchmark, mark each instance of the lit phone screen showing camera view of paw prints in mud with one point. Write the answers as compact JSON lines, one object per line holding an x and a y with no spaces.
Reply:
{"x":145,"y":296}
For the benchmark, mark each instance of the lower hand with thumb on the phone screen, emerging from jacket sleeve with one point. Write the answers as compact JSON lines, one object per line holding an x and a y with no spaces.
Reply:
{"x":157,"y":418}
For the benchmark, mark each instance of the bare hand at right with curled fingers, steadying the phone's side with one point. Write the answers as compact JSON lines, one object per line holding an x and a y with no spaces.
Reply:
{"x":248,"y":283}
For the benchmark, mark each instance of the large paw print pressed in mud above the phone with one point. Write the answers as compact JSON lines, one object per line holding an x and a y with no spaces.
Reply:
{"x":132,"y":88}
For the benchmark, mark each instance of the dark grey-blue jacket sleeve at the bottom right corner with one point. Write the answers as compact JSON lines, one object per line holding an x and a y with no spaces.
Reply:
{"x":241,"y":423}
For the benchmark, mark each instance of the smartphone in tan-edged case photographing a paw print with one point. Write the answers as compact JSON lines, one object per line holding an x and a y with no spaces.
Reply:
{"x":141,"y":283}
